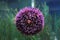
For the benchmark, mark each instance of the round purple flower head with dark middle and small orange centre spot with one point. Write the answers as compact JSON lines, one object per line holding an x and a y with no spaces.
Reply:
{"x":29,"y":21}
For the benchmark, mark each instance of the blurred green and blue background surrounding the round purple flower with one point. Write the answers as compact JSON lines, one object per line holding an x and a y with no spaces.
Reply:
{"x":50,"y":9}
